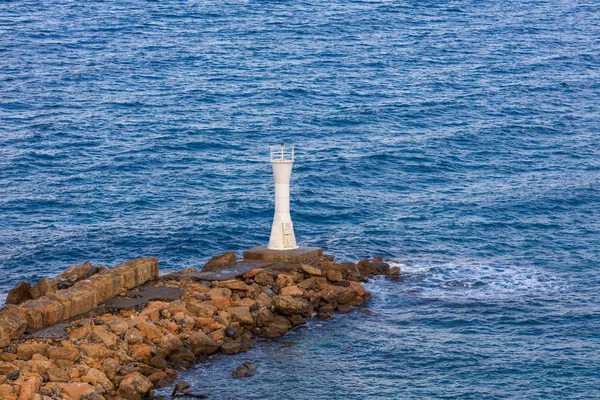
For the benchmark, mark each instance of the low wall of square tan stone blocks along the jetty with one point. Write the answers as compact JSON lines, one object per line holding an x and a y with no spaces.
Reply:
{"x":82,"y":297}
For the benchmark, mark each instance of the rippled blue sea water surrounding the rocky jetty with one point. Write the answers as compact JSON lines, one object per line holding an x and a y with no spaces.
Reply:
{"x":459,"y":138}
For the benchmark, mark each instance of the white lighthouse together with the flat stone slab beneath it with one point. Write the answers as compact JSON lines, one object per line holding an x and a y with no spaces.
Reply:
{"x":282,"y":245}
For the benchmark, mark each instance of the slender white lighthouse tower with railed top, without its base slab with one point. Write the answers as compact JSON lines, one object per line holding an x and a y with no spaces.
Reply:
{"x":282,"y":230}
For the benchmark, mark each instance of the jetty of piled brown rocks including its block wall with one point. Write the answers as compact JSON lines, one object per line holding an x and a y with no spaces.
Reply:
{"x":126,"y":353}
